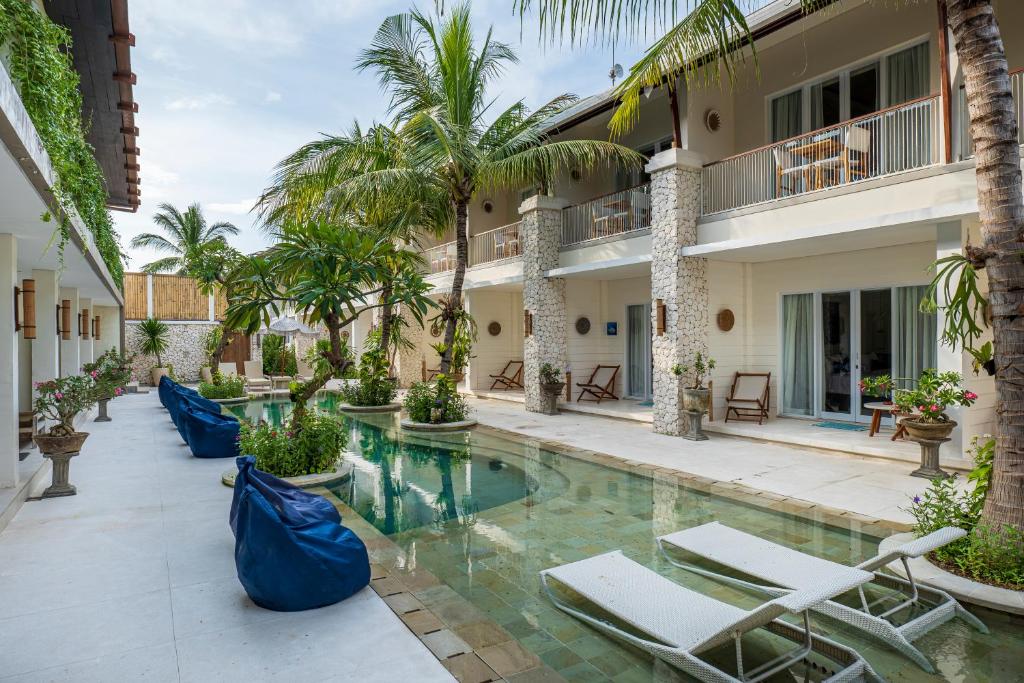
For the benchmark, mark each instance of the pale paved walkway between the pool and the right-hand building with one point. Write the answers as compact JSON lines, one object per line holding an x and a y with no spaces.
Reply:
{"x":867,"y":486}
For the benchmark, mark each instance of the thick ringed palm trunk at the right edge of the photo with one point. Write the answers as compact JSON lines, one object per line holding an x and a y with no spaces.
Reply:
{"x":1001,"y":207}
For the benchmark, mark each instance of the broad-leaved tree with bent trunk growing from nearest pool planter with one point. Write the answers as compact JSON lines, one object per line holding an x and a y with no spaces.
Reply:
{"x":328,"y":274}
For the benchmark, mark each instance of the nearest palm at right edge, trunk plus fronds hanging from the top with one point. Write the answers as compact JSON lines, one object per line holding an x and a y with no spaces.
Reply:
{"x":706,"y":44}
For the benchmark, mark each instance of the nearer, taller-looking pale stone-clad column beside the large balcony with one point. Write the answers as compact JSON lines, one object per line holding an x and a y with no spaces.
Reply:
{"x":680,"y":283}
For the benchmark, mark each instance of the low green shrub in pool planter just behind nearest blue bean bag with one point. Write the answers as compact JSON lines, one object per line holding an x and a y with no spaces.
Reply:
{"x":312,"y":447}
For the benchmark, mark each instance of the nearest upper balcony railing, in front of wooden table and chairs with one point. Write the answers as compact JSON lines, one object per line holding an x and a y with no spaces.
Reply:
{"x":892,"y":141}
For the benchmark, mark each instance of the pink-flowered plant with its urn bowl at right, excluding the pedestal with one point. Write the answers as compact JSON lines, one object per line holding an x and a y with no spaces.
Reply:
{"x":933,"y":395}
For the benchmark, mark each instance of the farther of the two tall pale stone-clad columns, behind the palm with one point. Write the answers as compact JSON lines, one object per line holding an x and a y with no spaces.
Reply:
{"x":540,"y":235}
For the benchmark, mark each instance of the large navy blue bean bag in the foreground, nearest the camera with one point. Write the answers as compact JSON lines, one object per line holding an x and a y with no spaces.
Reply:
{"x":291,"y":552}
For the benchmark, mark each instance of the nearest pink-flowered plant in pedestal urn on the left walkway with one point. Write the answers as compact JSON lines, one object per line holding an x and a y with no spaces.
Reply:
{"x":59,"y":402}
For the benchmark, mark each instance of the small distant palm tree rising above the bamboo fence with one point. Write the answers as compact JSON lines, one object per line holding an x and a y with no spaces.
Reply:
{"x":187,"y":237}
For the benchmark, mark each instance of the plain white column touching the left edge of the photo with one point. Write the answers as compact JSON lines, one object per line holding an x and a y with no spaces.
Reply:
{"x":10,"y":344}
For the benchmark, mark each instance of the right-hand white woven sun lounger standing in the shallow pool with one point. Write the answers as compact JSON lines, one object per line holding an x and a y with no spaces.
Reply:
{"x":788,"y":570}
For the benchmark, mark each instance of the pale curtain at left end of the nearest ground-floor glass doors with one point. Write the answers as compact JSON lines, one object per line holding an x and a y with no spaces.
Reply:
{"x":798,"y":354}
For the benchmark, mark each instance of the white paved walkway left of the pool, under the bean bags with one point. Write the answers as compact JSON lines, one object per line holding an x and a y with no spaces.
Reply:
{"x":134,"y":579}
